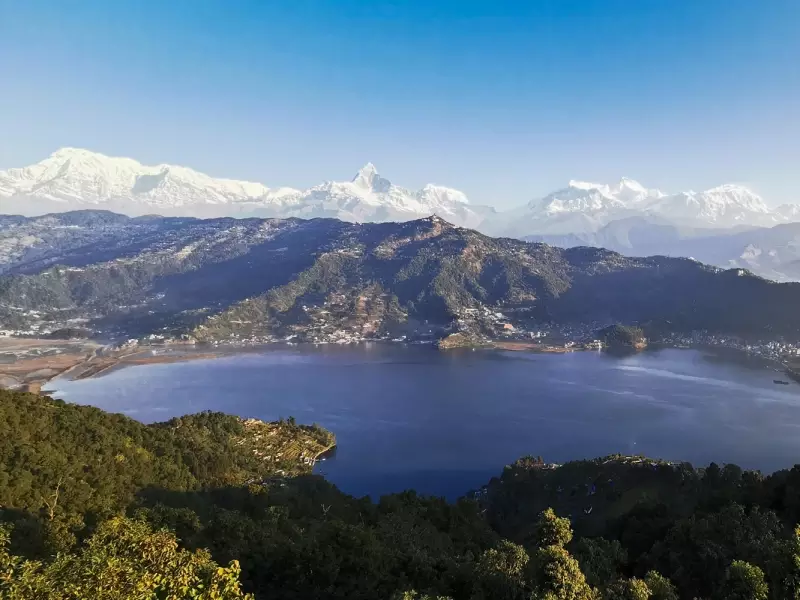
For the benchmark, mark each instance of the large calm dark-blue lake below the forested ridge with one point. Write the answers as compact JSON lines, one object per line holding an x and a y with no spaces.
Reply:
{"x":446,"y":422}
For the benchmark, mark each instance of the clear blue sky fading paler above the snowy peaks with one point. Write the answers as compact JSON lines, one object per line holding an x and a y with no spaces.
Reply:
{"x":504,"y":100}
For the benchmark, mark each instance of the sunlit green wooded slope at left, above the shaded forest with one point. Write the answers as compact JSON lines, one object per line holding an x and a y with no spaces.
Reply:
{"x":63,"y":466}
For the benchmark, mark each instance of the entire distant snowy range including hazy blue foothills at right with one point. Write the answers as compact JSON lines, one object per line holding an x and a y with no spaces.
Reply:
{"x":723,"y":225}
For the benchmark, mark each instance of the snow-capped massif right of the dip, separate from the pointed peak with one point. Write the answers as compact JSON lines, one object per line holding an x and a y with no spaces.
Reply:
{"x":583,"y":207}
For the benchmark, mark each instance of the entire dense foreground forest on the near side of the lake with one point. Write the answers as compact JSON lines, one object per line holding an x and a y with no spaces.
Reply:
{"x":99,"y":505}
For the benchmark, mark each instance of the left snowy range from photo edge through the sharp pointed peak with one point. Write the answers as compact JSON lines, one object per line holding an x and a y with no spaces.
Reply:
{"x":72,"y":178}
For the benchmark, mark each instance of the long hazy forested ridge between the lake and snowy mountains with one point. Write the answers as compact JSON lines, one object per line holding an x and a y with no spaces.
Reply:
{"x":234,"y":279}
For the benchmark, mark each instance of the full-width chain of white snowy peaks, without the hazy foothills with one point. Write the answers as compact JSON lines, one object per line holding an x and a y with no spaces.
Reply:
{"x":72,"y":179}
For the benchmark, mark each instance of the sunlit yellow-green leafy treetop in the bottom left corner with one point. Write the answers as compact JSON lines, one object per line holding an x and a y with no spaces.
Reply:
{"x":123,"y":560}
